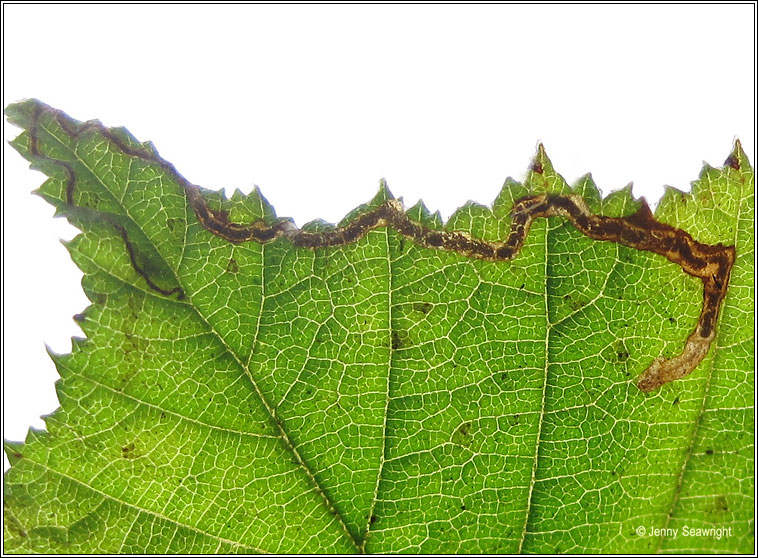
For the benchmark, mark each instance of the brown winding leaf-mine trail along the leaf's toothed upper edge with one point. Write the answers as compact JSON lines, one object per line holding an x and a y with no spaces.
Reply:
{"x":711,"y":263}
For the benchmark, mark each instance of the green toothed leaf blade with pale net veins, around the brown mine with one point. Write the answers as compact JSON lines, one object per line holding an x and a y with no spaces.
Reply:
{"x":380,"y":395}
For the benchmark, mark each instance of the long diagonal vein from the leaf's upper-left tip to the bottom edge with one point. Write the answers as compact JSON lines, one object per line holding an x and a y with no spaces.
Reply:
{"x":272,"y":415}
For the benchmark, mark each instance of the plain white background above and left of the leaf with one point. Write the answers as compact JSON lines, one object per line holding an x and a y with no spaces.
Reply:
{"x":316,"y":103}
